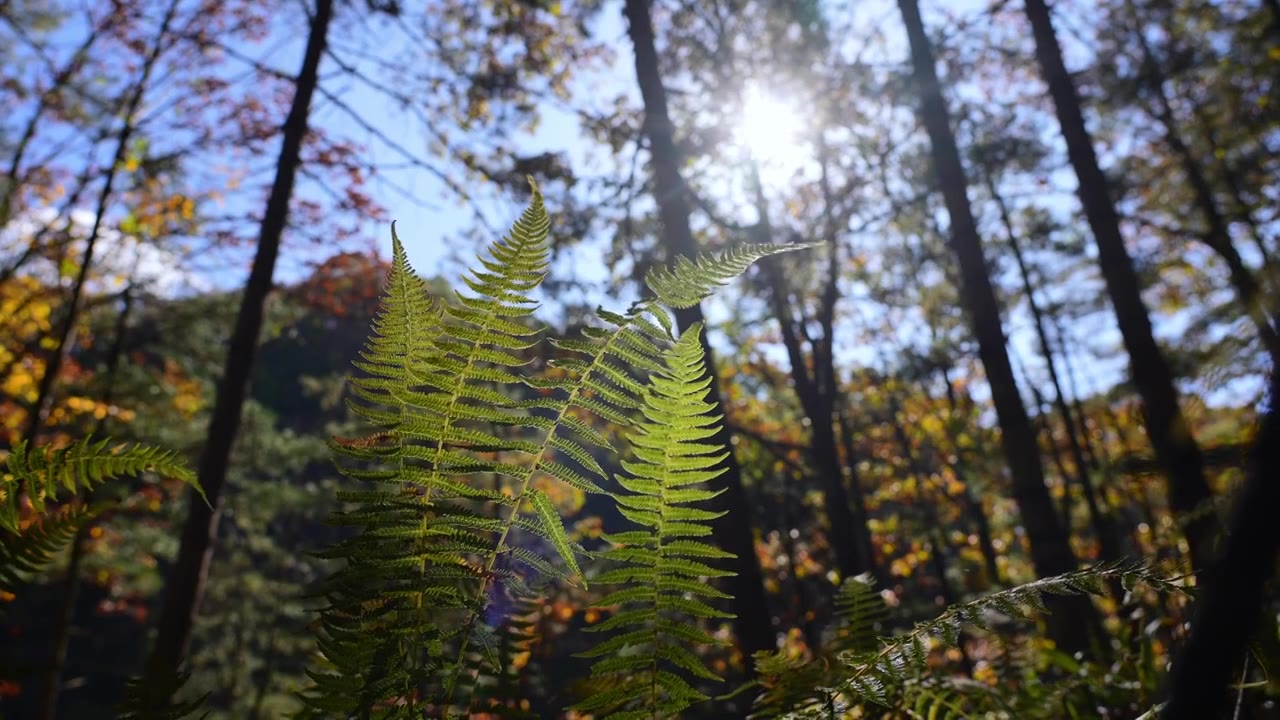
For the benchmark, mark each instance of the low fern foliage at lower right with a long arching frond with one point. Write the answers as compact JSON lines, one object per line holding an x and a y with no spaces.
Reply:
{"x":893,"y":672}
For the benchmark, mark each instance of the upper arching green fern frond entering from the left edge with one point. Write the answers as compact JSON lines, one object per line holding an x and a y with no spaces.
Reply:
{"x":43,"y":473}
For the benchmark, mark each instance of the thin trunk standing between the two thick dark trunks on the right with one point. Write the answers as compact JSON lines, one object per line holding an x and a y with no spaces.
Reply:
{"x":1104,"y":525}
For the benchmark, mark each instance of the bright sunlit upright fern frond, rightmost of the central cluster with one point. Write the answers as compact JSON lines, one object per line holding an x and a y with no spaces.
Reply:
{"x":651,"y":657}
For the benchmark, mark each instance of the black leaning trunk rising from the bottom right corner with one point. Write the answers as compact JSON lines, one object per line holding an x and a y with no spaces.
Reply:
{"x":1233,"y":587}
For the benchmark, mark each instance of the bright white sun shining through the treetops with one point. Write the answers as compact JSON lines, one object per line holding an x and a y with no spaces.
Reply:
{"x":771,"y":131}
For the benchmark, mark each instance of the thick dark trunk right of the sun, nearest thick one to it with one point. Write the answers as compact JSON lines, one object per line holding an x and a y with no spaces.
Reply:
{"x":1072,"y":621}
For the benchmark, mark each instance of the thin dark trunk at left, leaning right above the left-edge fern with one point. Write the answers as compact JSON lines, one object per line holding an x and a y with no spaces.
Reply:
{"x":65,"y":335}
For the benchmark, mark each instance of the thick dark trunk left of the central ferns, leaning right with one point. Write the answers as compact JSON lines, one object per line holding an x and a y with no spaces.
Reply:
{"x":188,"y":578}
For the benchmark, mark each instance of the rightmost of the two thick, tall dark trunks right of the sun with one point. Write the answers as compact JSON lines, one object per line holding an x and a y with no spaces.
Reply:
{"x":1167,"y":426}
